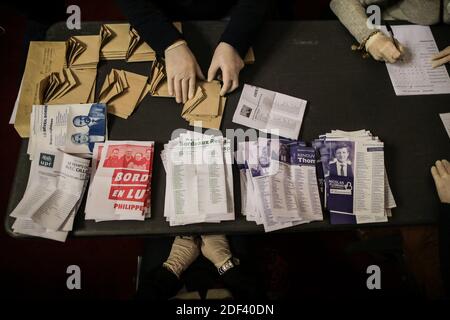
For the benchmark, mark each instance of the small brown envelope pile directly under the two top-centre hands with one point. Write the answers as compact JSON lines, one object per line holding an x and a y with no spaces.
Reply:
{"x":206,"y":108}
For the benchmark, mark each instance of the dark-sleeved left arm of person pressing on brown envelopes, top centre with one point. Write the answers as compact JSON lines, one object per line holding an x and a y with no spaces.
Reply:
{"x":151,"y":24}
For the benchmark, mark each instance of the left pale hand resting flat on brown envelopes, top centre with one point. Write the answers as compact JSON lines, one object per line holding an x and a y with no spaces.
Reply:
{"x":182,"y":70}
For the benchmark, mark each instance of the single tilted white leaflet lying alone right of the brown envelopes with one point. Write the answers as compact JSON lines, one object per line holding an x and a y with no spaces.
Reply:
{"x":270,"y":111}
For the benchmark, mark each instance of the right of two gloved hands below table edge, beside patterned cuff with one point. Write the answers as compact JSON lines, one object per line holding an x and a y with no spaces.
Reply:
{"x":216,"y":249}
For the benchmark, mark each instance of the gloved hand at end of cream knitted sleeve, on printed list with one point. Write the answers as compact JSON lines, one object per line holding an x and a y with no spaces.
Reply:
{"x":382,"y":48}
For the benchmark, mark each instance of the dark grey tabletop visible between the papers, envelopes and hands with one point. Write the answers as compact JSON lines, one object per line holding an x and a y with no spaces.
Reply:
{"x":308,"y":59}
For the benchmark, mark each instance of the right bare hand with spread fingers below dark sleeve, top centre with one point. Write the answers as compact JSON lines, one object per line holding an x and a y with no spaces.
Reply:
{"x":227,"y":59}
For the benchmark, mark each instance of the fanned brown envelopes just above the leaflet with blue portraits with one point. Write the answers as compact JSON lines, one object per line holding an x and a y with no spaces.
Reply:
{"x":122,"y":91}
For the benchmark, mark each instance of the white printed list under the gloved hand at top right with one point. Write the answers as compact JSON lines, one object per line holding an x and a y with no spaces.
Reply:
{"x":414,"y":75}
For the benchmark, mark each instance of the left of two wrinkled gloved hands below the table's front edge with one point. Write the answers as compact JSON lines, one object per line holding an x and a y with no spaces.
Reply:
{"x":184,"y":251}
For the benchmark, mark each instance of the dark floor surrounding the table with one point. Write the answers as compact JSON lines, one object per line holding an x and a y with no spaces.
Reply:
{"x":309,"y":265}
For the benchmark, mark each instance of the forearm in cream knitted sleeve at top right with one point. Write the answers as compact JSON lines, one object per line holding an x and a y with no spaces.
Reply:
{"x":352,"y":15}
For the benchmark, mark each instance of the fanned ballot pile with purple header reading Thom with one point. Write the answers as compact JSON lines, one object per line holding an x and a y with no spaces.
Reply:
{"x":278,"y":183}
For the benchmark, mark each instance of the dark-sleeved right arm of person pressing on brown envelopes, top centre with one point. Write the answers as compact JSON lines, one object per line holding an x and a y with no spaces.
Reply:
{"x":246,"y":19}
